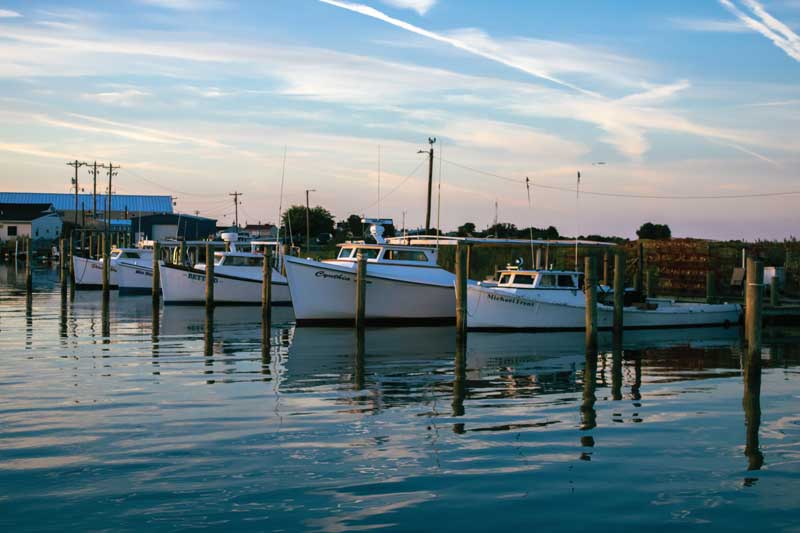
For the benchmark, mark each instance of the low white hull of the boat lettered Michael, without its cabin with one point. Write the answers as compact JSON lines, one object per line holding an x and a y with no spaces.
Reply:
{"x":489,"y":309}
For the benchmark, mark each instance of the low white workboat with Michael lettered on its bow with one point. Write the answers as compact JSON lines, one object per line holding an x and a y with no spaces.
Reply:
{"x":555,"y":300}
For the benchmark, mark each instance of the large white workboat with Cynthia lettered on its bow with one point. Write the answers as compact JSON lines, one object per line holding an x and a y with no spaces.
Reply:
{"x":405,"y":285}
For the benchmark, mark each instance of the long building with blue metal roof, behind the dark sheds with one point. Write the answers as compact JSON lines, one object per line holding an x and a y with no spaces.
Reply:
{"x":123,"y":206}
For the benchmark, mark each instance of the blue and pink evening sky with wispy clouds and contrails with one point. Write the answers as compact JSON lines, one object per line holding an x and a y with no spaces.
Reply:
{"x":673,"y":112}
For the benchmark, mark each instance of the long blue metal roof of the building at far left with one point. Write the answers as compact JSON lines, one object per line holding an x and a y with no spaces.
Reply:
{"x":135,"y":203}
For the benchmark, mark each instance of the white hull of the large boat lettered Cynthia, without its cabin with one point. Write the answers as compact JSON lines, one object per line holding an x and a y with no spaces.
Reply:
{"x":325,"y":294}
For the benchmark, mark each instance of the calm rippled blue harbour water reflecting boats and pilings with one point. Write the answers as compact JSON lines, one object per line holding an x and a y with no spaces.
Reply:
{"x":125,"y":422}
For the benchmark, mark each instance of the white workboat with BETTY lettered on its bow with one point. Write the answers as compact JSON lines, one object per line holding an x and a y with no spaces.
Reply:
{"x":237,"y":279}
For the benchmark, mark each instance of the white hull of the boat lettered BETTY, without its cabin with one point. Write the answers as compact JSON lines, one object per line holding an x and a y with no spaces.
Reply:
{"x":187,"y":286}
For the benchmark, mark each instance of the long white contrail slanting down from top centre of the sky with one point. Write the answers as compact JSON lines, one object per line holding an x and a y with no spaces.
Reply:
{"x":374,"y":13}
